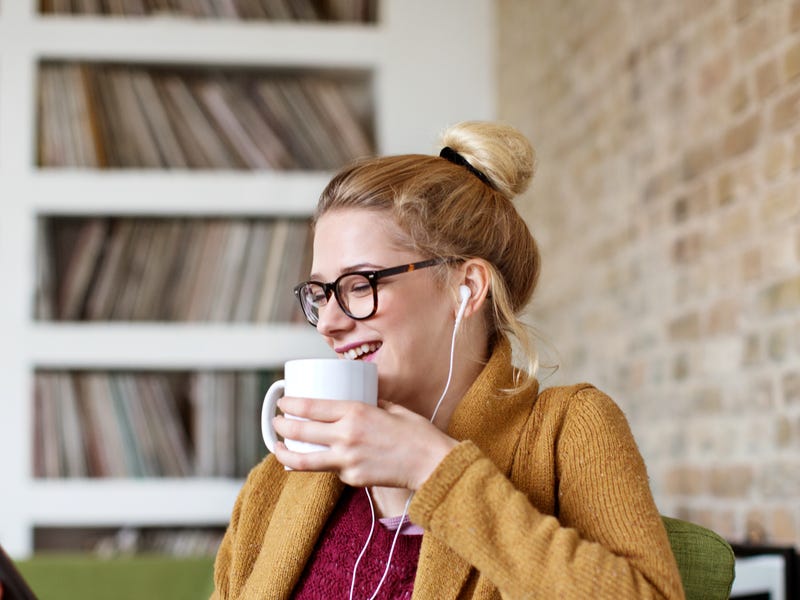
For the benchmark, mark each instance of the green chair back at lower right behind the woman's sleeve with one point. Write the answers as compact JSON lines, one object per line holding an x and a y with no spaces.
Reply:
{"x":705,"y":560}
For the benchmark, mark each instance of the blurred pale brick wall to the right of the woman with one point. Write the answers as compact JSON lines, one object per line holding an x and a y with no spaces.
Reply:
{"x":667,"y":205}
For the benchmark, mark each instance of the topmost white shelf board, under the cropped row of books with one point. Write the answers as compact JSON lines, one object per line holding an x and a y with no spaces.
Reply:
{"x":197,"y":41}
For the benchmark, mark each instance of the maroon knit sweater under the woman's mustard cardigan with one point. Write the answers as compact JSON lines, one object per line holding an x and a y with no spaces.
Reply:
{"x":329,"y":570}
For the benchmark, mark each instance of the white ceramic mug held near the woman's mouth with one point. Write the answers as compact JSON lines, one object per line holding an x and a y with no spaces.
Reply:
{"x":324,"y":378}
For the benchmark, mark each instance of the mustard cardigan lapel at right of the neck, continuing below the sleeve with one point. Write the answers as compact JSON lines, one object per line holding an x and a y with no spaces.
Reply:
{"x":494,"y":422}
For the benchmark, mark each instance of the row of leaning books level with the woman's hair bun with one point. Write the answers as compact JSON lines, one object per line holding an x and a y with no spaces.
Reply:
{"x":122,"y":116}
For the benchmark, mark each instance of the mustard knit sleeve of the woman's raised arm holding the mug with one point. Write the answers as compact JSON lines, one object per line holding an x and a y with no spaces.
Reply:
{"x":608,"y":540}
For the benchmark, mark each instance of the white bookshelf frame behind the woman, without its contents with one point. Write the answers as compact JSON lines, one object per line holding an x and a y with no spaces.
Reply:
{"x":431,"y":64}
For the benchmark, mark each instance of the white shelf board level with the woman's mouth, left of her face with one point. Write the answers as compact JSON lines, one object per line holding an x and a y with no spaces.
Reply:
{"x":170,"y":346}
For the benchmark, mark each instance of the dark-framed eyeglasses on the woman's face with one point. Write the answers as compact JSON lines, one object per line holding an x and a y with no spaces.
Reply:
{"x":356,"y":293}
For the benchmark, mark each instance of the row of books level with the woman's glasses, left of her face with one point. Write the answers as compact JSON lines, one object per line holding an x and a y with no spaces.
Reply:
{"x":173,"y":269}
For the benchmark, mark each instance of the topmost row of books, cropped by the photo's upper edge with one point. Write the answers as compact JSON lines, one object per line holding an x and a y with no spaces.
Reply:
{"x":300,"y":10}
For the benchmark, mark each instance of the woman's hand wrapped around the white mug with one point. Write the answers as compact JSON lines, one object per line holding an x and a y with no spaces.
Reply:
{"x":387,"y":445}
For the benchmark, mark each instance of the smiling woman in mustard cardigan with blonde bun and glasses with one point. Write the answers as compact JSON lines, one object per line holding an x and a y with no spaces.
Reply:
{"x":516,"y":492}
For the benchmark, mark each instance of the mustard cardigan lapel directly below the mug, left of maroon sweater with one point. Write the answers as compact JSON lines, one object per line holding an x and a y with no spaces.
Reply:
{"x":305,"y":504}
